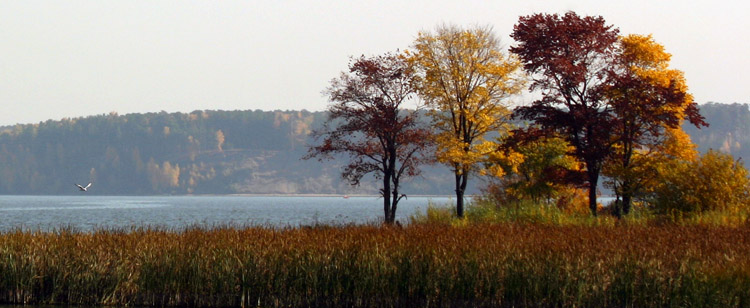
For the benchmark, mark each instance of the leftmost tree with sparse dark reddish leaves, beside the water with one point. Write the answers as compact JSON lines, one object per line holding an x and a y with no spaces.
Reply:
{"x":367,"y":122}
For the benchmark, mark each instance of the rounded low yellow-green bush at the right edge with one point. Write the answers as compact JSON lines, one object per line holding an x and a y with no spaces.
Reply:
{"x":714,"y":182}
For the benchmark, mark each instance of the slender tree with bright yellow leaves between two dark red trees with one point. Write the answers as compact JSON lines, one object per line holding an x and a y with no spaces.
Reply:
{"x":465,"y":79}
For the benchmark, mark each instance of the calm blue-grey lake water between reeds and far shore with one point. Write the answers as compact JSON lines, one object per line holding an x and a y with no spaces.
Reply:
{"x":87,"y":212}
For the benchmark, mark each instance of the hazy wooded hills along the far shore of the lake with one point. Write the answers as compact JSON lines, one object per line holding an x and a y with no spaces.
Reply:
{"x":226,"y":152}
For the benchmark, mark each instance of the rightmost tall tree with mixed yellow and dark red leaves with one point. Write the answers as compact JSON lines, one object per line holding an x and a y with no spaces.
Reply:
{"x":648,"y":99}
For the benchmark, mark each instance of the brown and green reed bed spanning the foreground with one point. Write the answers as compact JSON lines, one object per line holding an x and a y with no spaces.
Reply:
{"x":433,"y":265}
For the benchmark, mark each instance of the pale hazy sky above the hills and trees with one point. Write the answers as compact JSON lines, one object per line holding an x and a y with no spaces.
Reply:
{"x":78,"y":58}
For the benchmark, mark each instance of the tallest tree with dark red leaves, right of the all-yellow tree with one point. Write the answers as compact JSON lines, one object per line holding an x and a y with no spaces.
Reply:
{"x":568,"y":57}
